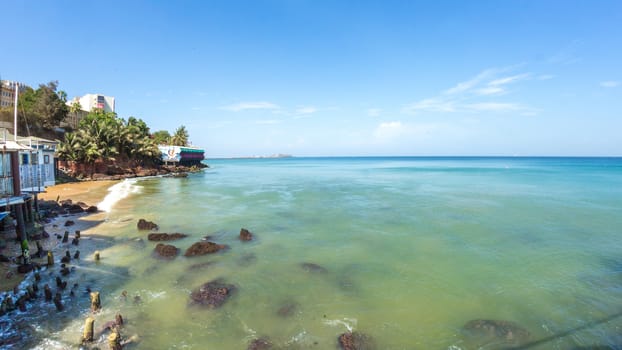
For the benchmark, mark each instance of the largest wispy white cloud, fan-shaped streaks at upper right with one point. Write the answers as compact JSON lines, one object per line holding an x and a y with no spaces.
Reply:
{"x":478,"y":94}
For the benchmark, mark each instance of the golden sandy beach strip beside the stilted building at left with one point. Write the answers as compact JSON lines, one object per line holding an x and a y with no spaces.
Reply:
{"x":89,"y":192}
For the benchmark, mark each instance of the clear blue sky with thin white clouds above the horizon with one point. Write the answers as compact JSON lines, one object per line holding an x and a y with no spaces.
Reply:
{"x":337,"y":78}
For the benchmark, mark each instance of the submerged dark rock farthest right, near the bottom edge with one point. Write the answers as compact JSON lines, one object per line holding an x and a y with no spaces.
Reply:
{"x":496,"y":329}
